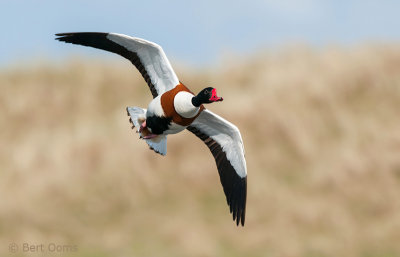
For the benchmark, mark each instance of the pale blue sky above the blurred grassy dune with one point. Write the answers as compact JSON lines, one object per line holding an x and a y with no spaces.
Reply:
{"x":196,"y":32}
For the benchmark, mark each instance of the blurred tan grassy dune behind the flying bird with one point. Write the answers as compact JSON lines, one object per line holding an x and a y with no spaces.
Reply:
{"x":322,"y":137}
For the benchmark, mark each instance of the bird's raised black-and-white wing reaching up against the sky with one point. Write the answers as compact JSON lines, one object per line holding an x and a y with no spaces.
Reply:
{"x":148,"y":57}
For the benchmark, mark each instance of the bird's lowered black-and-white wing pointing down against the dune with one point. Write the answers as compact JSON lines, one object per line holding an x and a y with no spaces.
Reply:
{"x":225,"y":143}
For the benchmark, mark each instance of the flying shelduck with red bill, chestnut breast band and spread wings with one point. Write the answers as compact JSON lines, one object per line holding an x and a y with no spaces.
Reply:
{"x":175,"y":108}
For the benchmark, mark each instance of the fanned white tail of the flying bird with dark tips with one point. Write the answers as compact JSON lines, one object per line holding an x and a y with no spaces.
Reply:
{"x":137,"y":116}
